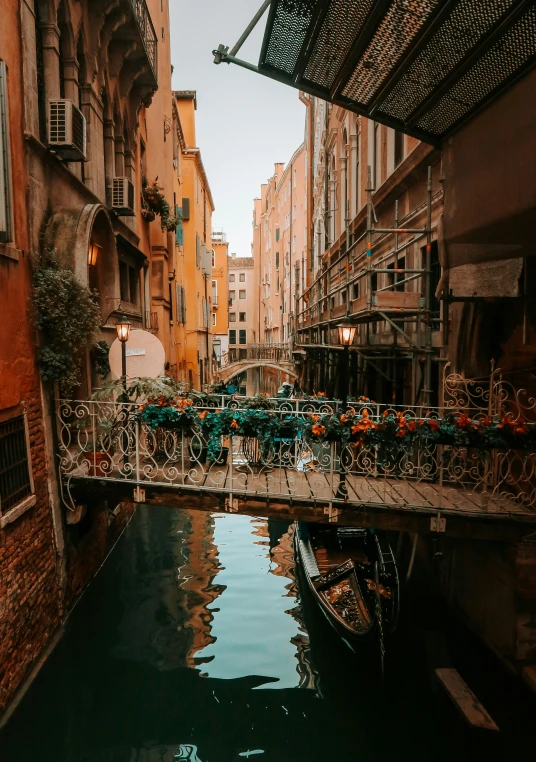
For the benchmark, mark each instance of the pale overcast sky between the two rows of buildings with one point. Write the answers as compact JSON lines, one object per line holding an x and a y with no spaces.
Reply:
{"x":245,"y":122}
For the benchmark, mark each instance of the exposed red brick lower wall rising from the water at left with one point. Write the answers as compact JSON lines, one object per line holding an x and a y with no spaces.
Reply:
{"x":39,"y":584}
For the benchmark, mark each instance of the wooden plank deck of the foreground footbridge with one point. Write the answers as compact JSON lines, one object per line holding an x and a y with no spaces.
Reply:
{"x":312,"y":496}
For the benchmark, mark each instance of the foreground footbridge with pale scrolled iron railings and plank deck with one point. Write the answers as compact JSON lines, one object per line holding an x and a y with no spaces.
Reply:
{"x":107,"y":450}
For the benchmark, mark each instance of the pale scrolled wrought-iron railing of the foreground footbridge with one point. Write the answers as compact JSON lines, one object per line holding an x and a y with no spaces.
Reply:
{"x":109,"y":441}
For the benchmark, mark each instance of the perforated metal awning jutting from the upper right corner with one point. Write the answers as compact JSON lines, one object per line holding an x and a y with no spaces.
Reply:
{"x":420,"y":66}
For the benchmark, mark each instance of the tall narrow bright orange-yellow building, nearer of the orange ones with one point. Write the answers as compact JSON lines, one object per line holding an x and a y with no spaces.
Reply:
{"x":197,"y":207}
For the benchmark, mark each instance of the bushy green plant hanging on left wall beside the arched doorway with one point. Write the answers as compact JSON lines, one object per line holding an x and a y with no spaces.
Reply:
{"x":67,"y":313}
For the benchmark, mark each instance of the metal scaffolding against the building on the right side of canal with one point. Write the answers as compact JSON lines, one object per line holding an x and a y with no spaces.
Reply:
{"x":366,"y":282}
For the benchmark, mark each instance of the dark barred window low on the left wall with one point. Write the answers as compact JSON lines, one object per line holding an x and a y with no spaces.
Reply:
{"x":15,"y":477}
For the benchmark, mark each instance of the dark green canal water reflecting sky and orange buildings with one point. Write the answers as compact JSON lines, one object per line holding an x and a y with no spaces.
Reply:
{"x":196,"y":641}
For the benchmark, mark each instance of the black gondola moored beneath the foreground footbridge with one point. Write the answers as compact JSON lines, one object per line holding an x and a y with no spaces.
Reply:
{"x":353,"y":575}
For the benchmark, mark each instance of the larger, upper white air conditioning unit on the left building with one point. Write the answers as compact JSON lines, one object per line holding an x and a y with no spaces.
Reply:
{"x":66,"y":130}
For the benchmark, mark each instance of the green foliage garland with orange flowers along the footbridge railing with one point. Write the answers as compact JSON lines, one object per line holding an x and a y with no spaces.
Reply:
{"x":392,"y":434}
